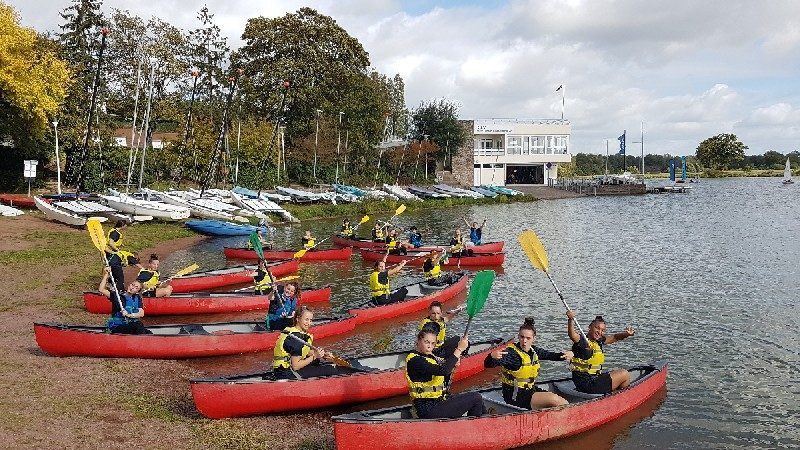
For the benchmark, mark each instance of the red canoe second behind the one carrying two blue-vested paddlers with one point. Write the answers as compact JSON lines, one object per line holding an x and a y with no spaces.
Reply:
{"x":203,"y":281}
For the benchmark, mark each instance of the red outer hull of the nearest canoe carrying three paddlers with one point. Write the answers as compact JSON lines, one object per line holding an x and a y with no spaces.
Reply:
{"x":498,"y":431}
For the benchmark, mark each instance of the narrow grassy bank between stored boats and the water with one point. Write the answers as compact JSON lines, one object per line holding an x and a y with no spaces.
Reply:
{"x":324,"y":211}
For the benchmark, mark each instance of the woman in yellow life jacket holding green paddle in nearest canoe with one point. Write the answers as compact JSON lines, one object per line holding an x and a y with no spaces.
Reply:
{"x":426,"y":376}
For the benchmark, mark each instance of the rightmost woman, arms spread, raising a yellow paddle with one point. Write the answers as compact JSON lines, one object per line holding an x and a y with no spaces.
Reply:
{"x":587,"y":365}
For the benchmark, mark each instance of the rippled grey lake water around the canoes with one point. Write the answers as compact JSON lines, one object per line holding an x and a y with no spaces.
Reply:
{"x":709,"y":279}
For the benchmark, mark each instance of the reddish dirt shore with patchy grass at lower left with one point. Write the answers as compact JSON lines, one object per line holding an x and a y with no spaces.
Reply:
{"x":92,"y":402}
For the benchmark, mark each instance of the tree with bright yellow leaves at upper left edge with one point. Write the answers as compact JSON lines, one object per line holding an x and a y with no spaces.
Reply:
{"x":33,"y":80}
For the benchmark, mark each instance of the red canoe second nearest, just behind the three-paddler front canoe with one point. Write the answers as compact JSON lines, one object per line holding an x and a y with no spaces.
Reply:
{"x":378,"y":376}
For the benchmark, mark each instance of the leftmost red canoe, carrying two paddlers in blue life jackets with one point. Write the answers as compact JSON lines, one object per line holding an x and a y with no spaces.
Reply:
{"x":171,"y":341}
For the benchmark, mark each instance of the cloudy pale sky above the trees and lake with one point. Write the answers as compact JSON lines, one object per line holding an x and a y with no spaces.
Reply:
{"x":689,"y":70}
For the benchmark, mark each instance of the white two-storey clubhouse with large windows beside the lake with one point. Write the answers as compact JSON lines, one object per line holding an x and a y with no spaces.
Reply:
{"x":519,"y":151}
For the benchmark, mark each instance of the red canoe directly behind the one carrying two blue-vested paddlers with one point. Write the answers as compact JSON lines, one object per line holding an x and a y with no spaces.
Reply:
{"x":201,"y":302}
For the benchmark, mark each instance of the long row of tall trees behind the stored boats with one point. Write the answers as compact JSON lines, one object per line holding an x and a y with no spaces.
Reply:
{"x":300,"y":90}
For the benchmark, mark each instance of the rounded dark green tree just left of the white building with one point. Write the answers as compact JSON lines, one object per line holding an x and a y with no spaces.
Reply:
{"x":438,"y":119}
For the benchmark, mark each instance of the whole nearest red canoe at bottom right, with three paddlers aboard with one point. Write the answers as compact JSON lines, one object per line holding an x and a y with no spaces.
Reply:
{"x":505,"y":426}
